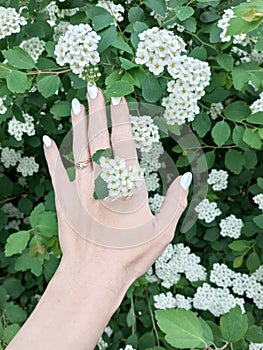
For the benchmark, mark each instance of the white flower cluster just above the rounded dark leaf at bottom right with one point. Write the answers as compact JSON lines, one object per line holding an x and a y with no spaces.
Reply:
{"x":216,"y":300}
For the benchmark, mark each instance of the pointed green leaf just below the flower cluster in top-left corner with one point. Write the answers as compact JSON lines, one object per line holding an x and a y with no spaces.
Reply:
{"x":18,"y":58}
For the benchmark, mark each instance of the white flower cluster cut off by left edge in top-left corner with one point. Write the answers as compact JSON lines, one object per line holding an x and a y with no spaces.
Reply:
{"x":10,"y":21}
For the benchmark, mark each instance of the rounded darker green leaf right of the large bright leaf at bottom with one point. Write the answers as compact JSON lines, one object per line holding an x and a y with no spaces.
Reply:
{"x":233,"y":325}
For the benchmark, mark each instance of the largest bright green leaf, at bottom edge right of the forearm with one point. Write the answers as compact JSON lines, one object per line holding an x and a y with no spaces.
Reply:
{"x":183,"y":329}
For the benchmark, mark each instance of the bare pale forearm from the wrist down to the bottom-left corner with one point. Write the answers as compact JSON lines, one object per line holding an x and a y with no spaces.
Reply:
{"x":73,"y":311}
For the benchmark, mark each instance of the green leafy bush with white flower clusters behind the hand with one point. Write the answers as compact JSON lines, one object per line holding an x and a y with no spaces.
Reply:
{"x":202,"y":68}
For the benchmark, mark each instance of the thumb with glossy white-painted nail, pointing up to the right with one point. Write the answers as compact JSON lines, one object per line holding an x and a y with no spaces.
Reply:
{"x":175,"y":202}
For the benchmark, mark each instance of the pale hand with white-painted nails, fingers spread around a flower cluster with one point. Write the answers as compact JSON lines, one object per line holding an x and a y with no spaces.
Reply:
{"x":121,"y":236}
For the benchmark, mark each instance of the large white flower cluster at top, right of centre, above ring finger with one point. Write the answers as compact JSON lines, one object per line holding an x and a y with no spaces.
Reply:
{"x":158,"y":48}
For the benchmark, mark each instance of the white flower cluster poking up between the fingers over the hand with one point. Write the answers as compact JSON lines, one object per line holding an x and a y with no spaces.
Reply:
{"x":121,"y":181}
